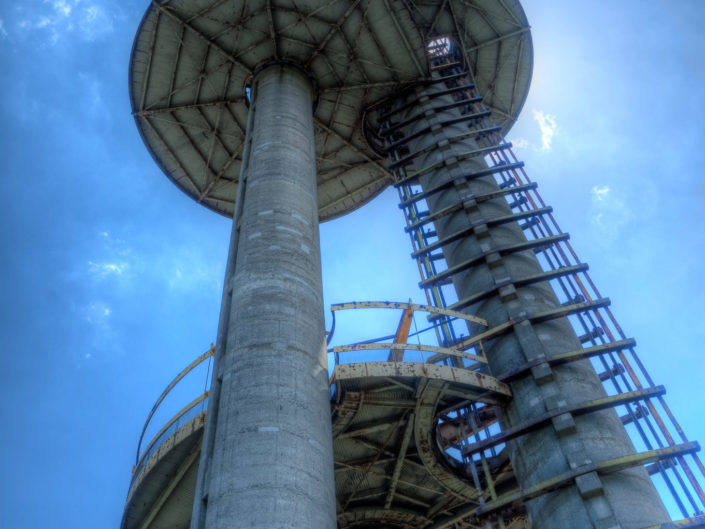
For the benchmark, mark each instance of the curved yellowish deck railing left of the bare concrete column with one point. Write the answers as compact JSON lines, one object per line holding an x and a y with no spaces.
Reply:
{"x":193,"y":409}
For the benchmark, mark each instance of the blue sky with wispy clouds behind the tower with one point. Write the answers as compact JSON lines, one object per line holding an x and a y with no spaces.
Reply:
{"x":111,"y":277}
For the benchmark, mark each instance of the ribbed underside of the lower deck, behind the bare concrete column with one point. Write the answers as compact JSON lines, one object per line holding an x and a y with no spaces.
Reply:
{"x":390,"y":468}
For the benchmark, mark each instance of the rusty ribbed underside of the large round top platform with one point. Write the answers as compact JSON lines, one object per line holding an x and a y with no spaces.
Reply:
{"x":191,"y":60}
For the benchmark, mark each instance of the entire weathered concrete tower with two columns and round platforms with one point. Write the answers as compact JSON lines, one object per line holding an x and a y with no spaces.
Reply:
{"x":532,"y":409}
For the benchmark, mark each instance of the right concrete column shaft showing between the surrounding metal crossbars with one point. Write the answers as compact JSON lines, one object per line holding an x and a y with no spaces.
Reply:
{"x":627,"y":499}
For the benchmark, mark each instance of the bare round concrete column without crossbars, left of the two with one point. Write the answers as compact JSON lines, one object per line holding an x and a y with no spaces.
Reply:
{"x":271,"y":457}
